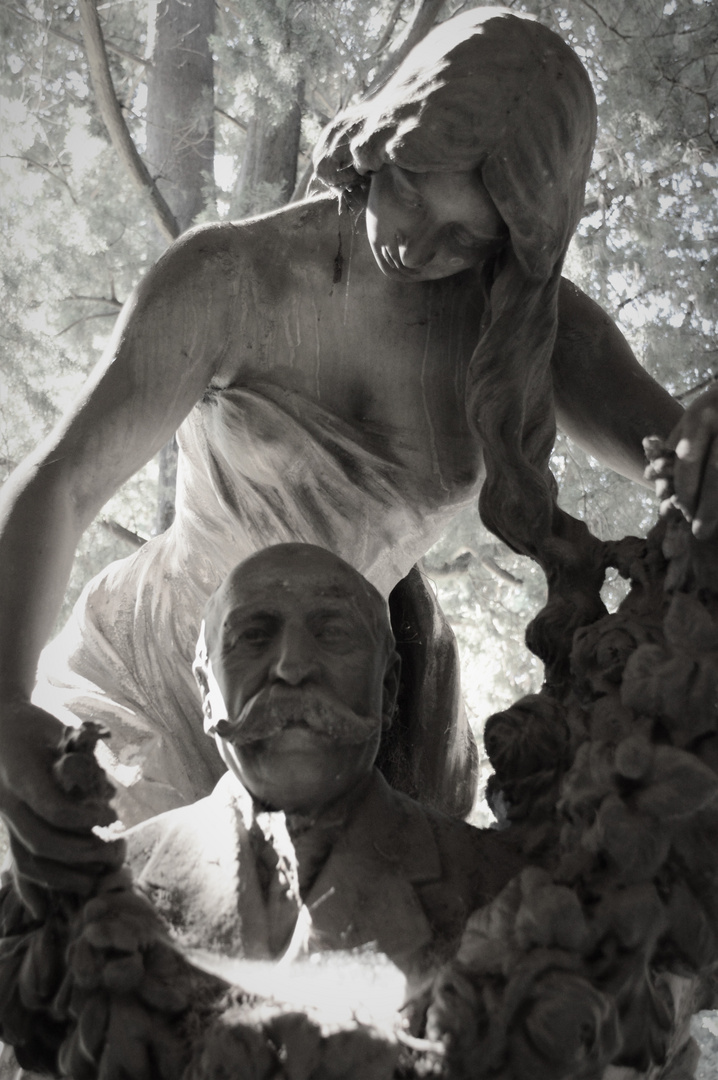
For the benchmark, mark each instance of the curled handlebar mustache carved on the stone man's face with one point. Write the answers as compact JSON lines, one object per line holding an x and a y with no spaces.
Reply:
{"x":272,"y":711}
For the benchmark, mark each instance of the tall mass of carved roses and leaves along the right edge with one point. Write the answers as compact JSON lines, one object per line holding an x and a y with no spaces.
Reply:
{"x":570,"y":969}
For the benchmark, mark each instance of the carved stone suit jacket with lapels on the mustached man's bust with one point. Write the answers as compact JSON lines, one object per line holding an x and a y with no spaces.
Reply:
{"x":400,"y":876}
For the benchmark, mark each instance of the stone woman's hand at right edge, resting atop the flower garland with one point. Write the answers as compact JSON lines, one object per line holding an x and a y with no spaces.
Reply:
{"x":694,"y":485}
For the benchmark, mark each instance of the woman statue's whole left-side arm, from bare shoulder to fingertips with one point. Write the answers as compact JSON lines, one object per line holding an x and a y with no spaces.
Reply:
{"x":142,"y":390}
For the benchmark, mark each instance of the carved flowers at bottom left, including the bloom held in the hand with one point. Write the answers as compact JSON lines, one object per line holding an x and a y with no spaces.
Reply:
{"x":93,"y":988}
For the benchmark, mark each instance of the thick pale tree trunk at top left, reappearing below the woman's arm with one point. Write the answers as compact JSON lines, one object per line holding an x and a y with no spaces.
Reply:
{"x":181,"y":142}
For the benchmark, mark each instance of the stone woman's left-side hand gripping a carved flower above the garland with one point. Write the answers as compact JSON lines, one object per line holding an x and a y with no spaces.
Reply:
{"x":49,"y":807}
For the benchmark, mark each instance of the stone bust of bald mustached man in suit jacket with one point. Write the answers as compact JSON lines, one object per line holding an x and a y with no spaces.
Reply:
{"x":303,"y":846}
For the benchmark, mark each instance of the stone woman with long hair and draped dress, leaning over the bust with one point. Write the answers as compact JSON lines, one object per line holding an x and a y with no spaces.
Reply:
{"x":349,"y":372}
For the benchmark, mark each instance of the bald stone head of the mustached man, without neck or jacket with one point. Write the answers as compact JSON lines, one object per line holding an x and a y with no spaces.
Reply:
{"x":299,"y":674}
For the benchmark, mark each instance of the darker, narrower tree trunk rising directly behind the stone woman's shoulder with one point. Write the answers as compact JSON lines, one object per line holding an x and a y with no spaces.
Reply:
{"x":270,"y":157}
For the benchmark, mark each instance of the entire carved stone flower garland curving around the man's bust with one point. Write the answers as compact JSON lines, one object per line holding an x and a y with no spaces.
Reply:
{"x":590,"y":964}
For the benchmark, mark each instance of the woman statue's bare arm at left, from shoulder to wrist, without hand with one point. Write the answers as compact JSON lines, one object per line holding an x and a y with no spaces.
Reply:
{"x":165,"y":352}
